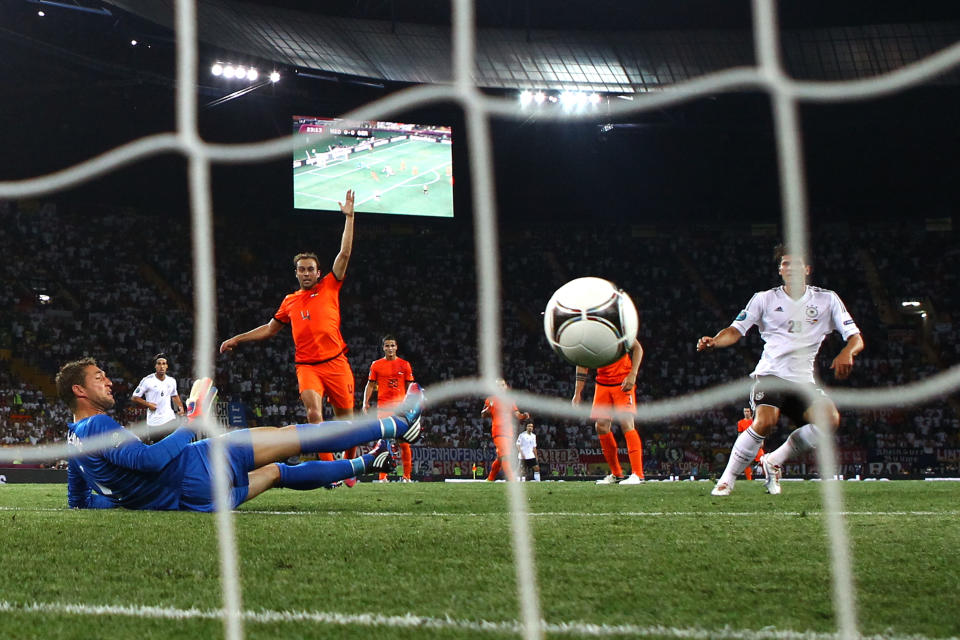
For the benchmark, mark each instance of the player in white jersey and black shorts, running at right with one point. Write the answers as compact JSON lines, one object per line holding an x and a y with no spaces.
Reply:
{"x":793,"y":320}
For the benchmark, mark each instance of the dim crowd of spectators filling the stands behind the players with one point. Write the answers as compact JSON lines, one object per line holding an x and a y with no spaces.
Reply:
{"x":417,"y":281}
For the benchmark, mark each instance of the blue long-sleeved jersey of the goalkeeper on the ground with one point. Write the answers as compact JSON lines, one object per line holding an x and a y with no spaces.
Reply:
{"x":122,"y":469}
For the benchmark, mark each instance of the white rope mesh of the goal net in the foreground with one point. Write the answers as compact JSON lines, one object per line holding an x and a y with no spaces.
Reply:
{"x":768,"y":76}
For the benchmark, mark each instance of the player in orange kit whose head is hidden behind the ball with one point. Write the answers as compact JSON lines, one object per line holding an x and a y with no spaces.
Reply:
{"x":615,"y":389}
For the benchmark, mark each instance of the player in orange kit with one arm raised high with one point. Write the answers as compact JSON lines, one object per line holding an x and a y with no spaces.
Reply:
{"x":313,"y":313}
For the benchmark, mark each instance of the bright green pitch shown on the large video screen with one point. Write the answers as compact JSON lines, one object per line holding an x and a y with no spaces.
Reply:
{"x":415,"y":163}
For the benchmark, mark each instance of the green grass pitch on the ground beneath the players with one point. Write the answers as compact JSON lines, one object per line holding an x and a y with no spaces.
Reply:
{"x":624,"y":558}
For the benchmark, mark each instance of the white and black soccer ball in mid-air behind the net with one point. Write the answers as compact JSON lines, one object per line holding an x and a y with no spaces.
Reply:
{"x":590,"y":322}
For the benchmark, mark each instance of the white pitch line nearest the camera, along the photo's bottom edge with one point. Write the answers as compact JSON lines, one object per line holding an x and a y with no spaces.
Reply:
{"x":413,"y":621}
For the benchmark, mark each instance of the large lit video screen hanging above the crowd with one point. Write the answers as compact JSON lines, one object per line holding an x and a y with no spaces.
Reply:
{"x":394,"y":168}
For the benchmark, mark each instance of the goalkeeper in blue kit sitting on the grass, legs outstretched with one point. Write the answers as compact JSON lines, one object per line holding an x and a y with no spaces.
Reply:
{"x":110,"y":467}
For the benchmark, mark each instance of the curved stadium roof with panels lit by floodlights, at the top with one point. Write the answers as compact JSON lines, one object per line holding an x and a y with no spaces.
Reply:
{"x":604,"y":46}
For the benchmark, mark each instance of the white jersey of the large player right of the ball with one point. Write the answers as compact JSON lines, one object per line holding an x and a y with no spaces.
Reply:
{"x":793,"y":330}
